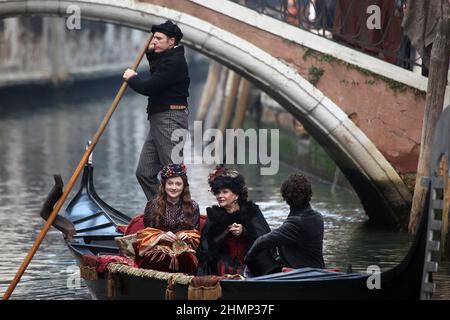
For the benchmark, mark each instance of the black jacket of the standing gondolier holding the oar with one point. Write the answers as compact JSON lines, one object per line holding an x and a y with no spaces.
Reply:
{"x":169,"y":80}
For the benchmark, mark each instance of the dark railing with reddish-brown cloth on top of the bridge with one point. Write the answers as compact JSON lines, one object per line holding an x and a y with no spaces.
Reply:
{"x":370,"y":26}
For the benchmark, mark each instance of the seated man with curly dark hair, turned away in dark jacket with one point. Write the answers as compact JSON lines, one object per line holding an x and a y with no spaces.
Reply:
{"x":300,"y":238}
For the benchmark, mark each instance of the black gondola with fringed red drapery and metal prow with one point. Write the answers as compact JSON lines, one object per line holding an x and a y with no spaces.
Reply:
{"x":90,"y":227}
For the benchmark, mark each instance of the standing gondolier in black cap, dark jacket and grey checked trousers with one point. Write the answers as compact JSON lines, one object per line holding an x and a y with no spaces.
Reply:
{"x":167,"y":89}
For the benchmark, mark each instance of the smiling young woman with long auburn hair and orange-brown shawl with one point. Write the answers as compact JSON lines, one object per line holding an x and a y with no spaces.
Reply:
{"x":171,"y":222}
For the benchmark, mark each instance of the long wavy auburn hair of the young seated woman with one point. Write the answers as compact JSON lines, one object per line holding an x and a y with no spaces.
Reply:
{"x":160,"y":209}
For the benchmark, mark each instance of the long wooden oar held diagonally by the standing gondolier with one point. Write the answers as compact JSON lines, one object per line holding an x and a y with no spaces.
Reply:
{"x":74,"y":177}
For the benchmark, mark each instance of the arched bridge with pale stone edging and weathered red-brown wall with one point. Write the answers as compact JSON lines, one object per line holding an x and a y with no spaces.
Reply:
{"x":366,"y":113}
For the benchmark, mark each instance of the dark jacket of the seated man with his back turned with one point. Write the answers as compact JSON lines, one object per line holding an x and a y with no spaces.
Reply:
{"x":299,"y":240}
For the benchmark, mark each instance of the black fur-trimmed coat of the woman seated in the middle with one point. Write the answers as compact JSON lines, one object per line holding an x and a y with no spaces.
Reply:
{"x":213,"y":246}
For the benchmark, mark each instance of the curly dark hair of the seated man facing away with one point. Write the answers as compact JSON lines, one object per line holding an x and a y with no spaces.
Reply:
{"x":296,"y":190}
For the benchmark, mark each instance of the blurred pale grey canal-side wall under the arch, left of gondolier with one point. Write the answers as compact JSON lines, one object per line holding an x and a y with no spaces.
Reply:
{"x":39,"y":50}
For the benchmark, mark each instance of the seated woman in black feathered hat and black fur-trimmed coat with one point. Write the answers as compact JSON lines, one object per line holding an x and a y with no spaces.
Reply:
{"x":231,"y":228}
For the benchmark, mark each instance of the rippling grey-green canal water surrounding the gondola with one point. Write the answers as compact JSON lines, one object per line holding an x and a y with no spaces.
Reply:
{"x":43,"y":131}
